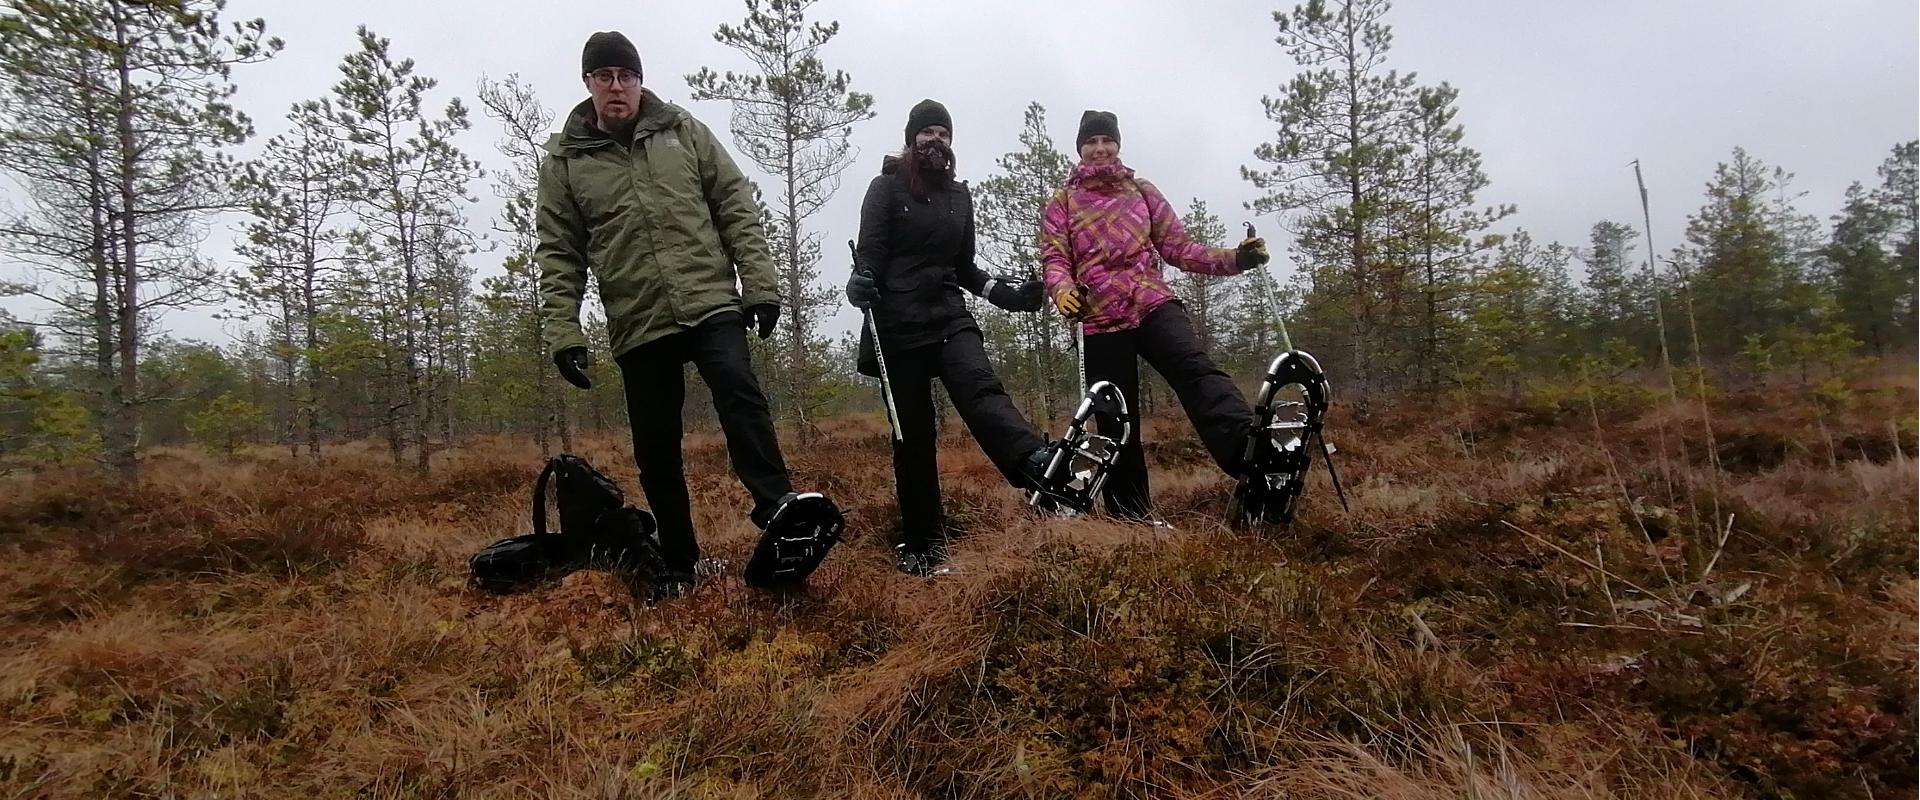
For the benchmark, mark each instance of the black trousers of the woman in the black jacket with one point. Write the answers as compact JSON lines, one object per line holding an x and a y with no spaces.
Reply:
{"x":961,"y":365}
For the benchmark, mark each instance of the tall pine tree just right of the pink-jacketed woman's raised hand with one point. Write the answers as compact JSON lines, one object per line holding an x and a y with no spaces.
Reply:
{"x":1339,"y":166}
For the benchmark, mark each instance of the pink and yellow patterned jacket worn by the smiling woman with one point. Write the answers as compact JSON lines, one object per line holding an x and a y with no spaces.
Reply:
{"x":1103,"y":231}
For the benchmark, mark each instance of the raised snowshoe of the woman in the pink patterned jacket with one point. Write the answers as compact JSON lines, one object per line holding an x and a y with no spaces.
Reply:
{"x":1289,"y":419}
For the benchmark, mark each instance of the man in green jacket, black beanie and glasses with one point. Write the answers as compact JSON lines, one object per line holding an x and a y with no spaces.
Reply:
{"x":640,"y":193}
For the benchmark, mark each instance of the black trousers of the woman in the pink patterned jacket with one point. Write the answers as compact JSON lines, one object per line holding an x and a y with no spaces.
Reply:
{"x":1212,"y":402}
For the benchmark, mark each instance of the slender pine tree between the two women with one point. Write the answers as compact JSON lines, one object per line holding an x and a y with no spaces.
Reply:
{"x":1034,"y":350}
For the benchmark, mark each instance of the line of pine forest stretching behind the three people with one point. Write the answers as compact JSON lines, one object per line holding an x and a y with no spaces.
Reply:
{"x":364,"y":318}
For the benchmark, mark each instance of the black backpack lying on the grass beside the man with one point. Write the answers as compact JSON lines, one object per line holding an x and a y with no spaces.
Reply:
{"x":598,"y":530}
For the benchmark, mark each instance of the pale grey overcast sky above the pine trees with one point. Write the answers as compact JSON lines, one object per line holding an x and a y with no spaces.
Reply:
{"x":1558,"y":97}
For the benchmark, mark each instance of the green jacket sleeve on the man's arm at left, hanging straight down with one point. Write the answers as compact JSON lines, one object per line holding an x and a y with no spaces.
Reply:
{"x":562,"y":256}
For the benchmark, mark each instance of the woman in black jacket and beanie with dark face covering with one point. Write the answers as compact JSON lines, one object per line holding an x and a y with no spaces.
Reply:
{"x":913,"y":262}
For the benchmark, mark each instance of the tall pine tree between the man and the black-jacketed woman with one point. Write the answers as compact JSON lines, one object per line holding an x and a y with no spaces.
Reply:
{"x":792,"y":118}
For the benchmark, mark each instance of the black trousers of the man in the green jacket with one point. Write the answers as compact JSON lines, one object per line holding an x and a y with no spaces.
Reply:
{"x":656,"y":394}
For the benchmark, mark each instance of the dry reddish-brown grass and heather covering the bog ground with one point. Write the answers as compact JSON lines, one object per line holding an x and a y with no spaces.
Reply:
{"x":1491,"y":623}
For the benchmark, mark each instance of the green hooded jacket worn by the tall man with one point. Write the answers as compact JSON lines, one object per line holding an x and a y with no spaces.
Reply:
{"x":663,"y":224}
